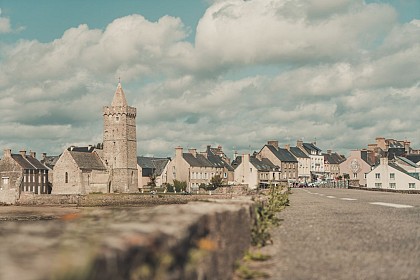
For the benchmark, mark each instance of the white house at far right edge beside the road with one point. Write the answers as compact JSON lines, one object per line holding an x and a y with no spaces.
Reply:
{"x":388,"y":175}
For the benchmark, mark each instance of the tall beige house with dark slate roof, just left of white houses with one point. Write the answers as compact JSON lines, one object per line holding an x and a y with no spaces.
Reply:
{"x":283,"y":158}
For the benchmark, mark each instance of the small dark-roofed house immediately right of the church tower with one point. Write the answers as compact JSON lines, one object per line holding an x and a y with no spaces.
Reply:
{"x":152,"y":170}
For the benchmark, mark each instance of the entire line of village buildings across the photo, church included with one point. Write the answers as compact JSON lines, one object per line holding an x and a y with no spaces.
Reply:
{"x":113,"y":165}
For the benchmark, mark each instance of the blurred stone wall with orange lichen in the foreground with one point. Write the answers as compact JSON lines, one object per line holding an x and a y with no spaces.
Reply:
{"x":198,"y":240}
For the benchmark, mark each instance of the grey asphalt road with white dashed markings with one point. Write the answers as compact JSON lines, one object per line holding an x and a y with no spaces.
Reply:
{"x":346,"y":234}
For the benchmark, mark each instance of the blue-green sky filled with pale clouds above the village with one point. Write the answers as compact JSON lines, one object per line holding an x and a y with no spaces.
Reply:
{"x":234,"y":73}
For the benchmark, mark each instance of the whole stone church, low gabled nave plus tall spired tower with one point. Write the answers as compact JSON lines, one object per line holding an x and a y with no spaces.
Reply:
{"x":112,"y":169}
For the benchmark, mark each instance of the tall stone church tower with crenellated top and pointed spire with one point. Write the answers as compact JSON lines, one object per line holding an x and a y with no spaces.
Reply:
{"x":120,"y":144}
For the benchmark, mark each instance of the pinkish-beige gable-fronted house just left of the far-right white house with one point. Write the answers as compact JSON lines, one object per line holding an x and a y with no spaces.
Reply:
{"x":357,"y":166}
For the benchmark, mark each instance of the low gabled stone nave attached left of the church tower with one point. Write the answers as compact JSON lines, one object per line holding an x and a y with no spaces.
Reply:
{"x":80,"y":170}
